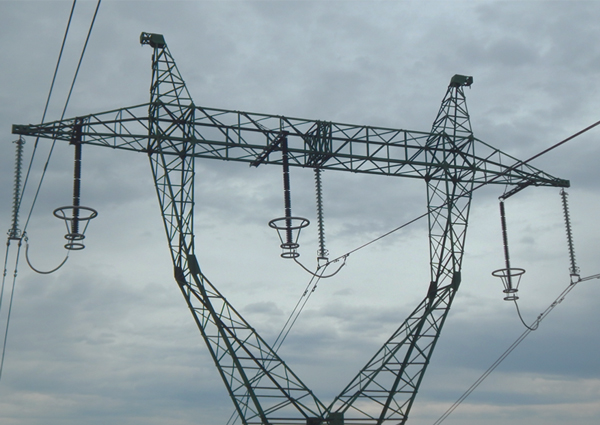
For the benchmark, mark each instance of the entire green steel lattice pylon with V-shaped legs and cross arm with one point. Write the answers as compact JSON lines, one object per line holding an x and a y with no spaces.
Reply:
{"x":173,"y":132}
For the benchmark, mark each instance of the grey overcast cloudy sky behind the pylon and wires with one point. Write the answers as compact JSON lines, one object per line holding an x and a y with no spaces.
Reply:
{"x":108,"y":338}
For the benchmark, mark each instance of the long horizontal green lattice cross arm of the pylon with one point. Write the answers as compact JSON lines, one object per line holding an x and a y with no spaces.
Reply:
{"x":249,"y":137}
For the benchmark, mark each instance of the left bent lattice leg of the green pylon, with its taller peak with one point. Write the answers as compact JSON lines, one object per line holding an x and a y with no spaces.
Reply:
{"x":262,"y":388}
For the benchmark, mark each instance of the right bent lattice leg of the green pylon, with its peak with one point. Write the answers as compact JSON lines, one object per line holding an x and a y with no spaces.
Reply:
{"x":384,"y":390}
